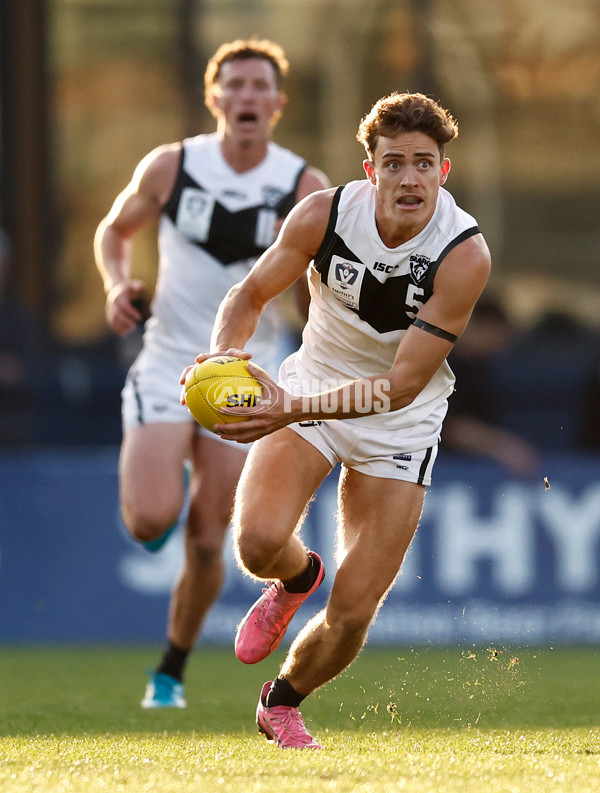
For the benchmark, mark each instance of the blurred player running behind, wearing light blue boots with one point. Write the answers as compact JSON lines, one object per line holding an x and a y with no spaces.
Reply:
{"x":218,"y":200}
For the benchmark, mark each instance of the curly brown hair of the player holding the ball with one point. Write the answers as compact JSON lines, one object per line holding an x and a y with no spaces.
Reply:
{"x":406,"y":113}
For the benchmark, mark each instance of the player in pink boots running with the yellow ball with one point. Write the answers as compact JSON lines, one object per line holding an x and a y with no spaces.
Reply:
{"x":395,"y":270}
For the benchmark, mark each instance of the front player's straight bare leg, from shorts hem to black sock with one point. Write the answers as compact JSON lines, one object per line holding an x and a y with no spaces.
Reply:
{"x":378,"y":518}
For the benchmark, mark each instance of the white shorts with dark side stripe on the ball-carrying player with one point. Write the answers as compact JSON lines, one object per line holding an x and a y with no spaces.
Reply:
{"x":371,"y":451}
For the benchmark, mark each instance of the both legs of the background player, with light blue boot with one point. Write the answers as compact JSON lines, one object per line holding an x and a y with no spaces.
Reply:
{"x":151,"y":497}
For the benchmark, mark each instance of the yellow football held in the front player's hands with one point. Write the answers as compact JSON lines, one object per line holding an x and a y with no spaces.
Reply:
{"x":221,"y":382}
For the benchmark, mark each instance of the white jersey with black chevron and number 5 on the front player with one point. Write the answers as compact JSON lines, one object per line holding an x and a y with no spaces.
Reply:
{"x":365,"y":295}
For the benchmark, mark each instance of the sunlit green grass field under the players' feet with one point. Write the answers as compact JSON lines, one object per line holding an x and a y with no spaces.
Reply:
{"x":446,"y":719}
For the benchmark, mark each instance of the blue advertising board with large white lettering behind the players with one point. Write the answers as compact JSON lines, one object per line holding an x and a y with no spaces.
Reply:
{"x":495,"y":559}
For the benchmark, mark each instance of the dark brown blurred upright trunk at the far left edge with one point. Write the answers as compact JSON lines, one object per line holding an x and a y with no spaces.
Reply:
{"x":26,"y":178}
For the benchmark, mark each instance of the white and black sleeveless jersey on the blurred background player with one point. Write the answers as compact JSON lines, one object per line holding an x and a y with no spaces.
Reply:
{"x":214,"y":226}
